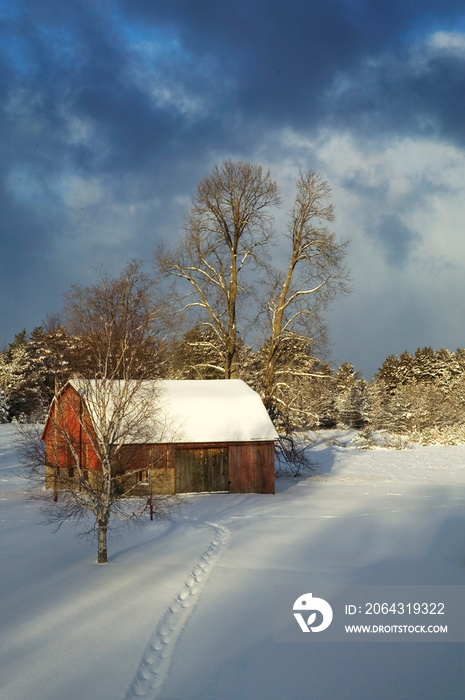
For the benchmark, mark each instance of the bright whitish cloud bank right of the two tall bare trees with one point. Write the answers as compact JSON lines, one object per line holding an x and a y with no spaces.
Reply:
{"x":419,"y":184}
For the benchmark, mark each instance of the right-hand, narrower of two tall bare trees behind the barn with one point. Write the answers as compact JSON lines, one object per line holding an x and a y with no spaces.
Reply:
{"x":297,"y":294}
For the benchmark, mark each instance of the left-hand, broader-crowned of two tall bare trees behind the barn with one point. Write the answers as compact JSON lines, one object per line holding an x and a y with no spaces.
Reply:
{"x":228,"y":230}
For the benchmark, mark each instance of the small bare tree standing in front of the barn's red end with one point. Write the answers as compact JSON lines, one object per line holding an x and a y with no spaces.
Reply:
{"x":96,"y":453}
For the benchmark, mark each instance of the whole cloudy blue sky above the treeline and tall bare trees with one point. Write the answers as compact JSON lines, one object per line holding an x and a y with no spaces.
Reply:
{"x":111,"y":112}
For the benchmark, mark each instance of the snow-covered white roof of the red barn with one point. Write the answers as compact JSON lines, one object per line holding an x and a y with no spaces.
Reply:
{"x":214,"y":410}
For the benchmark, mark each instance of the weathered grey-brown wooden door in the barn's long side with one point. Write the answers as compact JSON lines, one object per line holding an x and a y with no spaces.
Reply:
{"x":201,"y":469}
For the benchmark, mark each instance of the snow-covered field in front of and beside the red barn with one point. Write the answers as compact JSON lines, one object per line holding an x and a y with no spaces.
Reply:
{"x":184,"y":611}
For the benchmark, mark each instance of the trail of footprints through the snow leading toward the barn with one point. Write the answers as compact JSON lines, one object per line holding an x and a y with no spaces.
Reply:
{"x":154,"y":666}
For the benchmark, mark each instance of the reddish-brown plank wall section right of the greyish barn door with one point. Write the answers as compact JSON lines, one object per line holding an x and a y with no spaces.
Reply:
{"x":251,"y":467}
